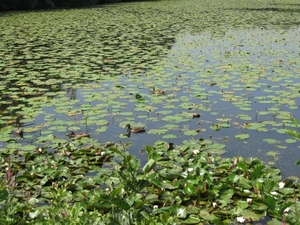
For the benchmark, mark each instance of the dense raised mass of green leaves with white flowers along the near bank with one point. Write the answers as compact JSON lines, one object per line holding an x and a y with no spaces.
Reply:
{"x":104,"y":184}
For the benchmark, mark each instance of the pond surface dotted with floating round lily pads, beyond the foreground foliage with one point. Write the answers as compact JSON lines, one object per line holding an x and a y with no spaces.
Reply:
{"x":78,"y":70}
